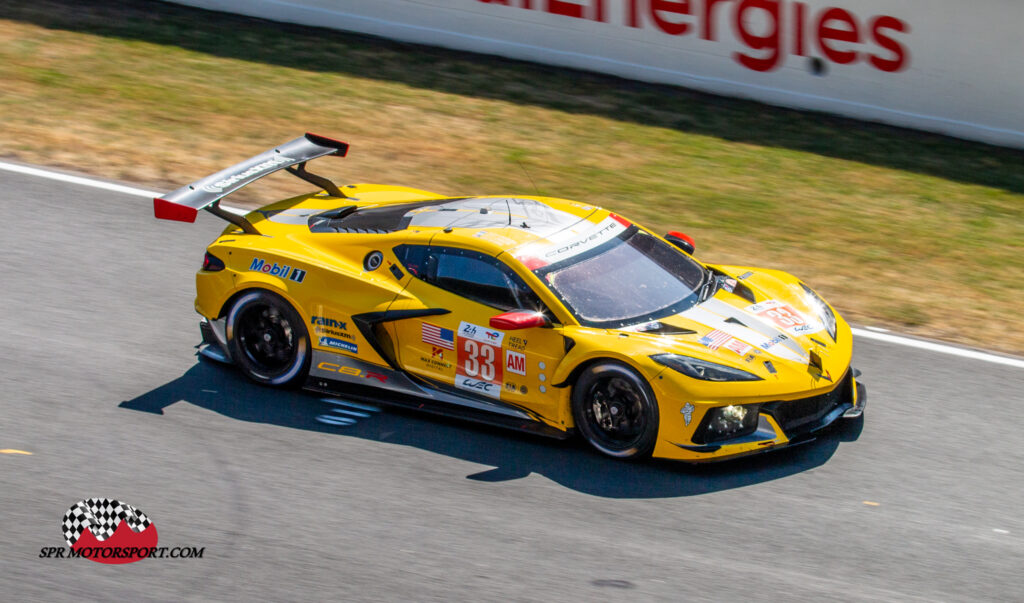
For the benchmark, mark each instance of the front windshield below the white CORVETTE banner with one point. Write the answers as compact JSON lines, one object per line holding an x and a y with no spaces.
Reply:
{"x":631,"y":279}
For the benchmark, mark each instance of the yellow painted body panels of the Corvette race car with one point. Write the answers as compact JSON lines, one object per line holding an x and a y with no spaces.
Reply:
{"x":538,"y":367}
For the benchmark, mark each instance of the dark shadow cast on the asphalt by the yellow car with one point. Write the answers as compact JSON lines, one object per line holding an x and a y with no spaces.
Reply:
{"x":513,"y":455}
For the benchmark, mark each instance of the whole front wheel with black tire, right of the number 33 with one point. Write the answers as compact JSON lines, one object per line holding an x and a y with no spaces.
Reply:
{"x":616,"y":411}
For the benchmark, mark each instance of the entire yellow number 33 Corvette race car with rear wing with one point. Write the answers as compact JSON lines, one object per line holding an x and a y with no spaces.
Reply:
{"x":542,"y":315}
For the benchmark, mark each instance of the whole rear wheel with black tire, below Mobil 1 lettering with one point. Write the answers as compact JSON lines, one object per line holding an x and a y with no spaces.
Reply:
{"x":269,"y":340}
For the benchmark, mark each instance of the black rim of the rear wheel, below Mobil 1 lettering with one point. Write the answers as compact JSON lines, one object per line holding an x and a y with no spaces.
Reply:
{"x":268,"y":338}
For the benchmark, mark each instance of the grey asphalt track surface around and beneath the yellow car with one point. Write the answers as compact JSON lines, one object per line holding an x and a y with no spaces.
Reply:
{"x":922,"y":501}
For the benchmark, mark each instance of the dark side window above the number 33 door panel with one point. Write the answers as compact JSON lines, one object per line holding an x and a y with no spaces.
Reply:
{"x":471,"y":275}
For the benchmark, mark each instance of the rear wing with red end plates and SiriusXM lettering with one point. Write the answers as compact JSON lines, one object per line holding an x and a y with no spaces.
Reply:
{"x":184,"y":204}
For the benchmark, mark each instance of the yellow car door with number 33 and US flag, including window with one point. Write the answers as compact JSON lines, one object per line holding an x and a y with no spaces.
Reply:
{"x":459,"y":349}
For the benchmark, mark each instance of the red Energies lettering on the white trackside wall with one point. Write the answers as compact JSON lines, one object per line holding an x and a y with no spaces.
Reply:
{"x":771,"y":30}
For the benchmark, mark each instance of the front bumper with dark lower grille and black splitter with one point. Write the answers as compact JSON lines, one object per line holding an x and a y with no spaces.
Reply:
{"x":781,"y":424}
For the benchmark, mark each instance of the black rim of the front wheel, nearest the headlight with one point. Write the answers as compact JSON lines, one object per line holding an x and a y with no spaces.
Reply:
{"x":616,"y":413}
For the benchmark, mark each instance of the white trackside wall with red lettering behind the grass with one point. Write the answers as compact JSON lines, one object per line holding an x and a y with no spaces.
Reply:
{"x":944,"y":66}
